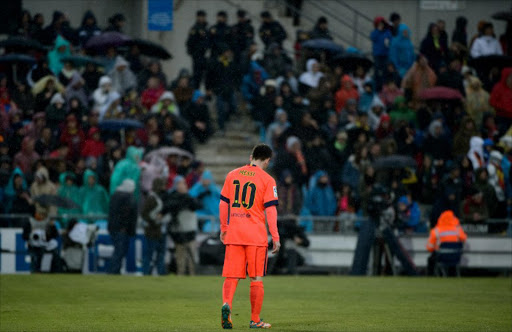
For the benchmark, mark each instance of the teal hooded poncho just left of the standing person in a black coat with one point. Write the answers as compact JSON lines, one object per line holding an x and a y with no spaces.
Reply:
{"x":94,"y":198}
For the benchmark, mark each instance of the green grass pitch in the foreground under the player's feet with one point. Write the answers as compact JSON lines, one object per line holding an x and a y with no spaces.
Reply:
{"x":123,"y":303}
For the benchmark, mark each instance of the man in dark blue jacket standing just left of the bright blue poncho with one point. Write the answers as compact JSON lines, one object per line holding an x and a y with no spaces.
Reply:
{"x":381,"y":38}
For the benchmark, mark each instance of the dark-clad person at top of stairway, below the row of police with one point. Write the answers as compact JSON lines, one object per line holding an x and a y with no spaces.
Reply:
{"x":220,"y":81}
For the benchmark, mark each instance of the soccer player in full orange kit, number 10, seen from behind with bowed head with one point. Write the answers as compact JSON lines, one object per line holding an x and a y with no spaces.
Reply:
{"x":248,"y":194}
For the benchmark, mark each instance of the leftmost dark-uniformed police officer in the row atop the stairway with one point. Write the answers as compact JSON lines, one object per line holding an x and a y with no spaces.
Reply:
{"x":197,"y":46}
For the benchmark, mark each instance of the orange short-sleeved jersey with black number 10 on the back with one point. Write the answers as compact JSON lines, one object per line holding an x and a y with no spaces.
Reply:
{"x":248,"y":191}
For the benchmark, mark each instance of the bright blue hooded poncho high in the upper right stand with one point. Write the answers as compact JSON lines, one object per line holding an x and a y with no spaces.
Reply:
{"x":401,"y":51}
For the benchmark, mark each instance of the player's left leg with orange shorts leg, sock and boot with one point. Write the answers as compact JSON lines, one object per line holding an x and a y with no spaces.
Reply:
{"x":234,"y":269}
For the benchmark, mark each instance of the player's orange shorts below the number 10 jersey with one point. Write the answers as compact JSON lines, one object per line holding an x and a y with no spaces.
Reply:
{"x":241,"y":261}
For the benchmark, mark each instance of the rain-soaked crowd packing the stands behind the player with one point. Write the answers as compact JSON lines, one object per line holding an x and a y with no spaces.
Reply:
{"x":66,"y":130}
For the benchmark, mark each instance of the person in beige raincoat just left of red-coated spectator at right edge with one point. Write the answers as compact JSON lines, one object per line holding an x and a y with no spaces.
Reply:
{"x":477,"y":100}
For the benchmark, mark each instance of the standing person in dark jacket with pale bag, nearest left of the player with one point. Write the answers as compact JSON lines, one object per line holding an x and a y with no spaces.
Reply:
{"x":183,"y":227}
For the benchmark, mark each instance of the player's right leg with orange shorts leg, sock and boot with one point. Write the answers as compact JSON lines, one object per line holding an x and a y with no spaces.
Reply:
{"x":256,"y":267}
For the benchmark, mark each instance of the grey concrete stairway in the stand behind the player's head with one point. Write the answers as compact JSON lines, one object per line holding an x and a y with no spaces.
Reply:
{"x":224,"y":153}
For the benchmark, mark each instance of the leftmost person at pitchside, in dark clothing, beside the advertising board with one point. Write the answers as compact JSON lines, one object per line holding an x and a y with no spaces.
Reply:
{"x":41,"y":234}
